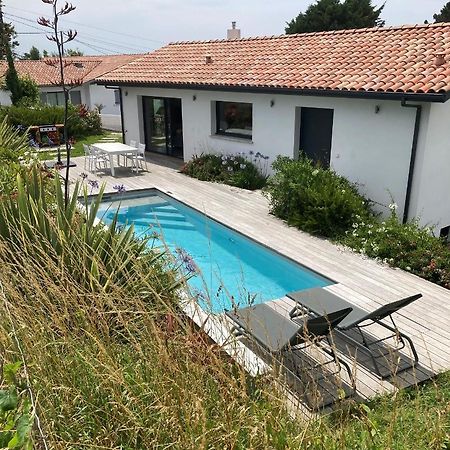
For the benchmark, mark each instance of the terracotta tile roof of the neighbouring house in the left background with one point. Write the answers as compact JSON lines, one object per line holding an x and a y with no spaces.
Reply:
{"x":85,"y":68}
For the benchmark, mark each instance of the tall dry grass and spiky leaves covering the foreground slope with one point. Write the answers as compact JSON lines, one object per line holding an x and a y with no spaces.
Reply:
{"x":115,"y":367}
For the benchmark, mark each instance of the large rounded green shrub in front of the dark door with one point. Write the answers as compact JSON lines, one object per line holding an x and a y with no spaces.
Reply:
{"x":313,"y":199}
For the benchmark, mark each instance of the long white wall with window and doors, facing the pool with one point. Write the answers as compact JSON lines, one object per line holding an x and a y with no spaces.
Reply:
{"x":370,"y":149}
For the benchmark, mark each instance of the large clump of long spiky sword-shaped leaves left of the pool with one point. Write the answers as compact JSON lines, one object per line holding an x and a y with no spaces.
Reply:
{"x":95,"y":256}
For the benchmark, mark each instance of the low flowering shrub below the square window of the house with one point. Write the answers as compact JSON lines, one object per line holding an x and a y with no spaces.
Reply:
{"x":247,"y":172}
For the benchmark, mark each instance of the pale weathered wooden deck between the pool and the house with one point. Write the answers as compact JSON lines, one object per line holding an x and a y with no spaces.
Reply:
{"x":361,"y":281}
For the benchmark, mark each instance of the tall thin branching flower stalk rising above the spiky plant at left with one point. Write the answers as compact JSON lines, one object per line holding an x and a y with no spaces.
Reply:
{"x":60,"y":39}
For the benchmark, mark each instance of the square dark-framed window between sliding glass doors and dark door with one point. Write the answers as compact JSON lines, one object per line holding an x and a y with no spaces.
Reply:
{"x":234,"y":119}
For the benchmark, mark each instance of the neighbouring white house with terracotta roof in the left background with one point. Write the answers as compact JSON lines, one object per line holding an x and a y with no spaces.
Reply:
{"x":80,"y":73}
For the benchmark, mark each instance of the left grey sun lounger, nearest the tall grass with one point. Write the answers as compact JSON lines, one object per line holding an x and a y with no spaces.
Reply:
{"x":279,"y":335}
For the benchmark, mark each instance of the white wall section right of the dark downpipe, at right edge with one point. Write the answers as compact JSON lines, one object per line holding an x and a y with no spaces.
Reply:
{"x":431,"y":187}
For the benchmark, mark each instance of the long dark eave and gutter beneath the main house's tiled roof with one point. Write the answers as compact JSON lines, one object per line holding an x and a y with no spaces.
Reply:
{"x":435,"y":97}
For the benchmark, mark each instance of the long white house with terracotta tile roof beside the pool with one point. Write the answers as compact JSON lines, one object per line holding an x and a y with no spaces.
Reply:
{"x":370,"y":103}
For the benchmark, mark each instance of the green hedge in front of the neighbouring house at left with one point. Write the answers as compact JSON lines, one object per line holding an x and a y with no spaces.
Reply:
{"x":81,"y":122}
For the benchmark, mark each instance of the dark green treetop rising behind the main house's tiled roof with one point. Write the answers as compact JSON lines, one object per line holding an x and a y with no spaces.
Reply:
{"x":328,"y":15}
